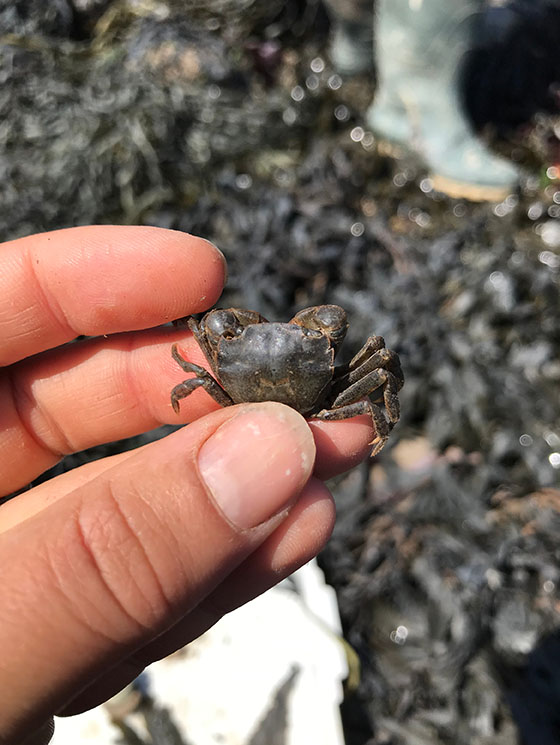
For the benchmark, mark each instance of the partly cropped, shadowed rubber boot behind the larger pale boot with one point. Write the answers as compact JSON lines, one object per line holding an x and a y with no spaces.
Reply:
{"x":351,"y":45}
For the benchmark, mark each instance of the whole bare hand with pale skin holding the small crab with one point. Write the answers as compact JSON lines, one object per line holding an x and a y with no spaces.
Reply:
{"x":124,"y":560}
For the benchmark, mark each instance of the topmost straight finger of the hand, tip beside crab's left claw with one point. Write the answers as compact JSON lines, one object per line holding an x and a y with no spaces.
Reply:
{"x":100,"y":280}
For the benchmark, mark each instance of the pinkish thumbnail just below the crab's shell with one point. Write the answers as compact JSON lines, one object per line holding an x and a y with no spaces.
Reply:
{"x":256,"y":464}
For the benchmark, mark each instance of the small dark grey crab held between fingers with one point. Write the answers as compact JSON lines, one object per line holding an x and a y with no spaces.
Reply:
{"x":293,"y":363}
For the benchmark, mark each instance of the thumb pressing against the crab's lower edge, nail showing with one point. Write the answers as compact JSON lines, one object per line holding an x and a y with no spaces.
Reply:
{"x":112,"y":564}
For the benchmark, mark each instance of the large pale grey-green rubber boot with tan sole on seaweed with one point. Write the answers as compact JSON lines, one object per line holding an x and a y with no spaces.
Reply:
{"x":419,"y":47}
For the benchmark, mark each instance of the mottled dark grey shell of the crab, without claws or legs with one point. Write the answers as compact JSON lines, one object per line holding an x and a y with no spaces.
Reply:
{"x":276,"y":362}
